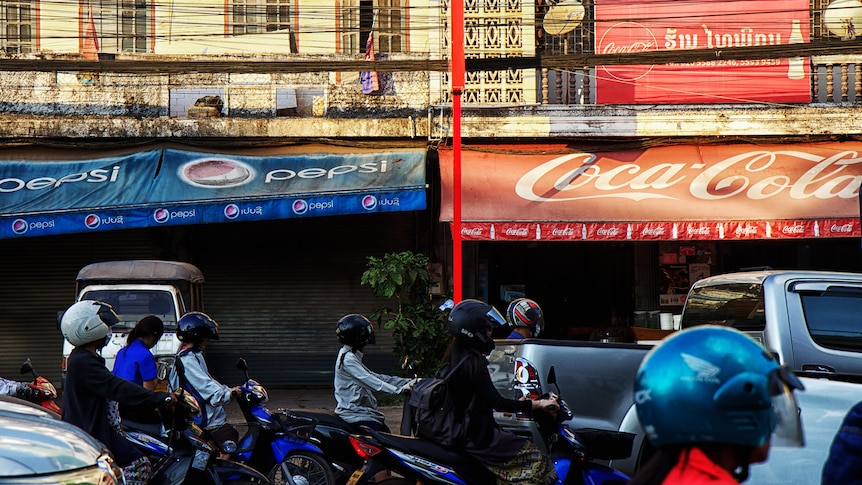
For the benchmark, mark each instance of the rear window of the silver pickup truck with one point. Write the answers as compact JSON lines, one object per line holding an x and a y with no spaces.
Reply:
{"x":737,"y":305}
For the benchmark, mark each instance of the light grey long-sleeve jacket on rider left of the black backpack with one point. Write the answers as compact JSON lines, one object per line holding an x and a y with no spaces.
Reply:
{"x":354,"y":383}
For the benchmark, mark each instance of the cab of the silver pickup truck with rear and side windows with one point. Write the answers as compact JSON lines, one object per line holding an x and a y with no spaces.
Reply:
{"x":811,"y":319}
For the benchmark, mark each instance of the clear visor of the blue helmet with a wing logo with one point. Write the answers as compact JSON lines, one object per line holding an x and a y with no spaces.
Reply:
{"x":788,"y":421}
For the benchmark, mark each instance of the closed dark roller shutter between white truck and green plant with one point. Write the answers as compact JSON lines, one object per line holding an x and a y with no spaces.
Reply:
{"x":277,"y":290}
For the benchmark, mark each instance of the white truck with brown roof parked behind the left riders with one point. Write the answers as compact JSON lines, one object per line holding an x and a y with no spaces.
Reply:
{"x":137,"y":288}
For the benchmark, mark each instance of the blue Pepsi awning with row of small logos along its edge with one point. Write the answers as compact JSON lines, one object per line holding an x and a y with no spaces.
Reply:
{"x":167,"y":186}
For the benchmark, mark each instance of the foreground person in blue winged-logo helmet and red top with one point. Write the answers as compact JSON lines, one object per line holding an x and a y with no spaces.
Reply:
{"x":711,"y":400}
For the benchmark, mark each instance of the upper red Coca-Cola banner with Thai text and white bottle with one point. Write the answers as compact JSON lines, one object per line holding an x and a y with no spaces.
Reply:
{"x":630,"y":26}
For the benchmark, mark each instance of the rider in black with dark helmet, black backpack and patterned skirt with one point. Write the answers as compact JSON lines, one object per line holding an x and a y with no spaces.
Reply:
{"x":509,"y":456}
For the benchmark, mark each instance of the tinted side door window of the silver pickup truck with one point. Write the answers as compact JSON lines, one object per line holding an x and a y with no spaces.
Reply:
{"x":834,"y":318}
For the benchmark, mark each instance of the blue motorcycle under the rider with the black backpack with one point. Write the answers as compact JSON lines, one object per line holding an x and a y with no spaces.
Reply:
{"x":416,"y":460}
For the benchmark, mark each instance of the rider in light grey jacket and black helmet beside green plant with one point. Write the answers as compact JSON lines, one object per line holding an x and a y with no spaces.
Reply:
{"x":354,"y":382}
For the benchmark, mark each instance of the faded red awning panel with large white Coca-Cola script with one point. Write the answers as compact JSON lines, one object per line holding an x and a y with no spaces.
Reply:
{"x":684,"y":183}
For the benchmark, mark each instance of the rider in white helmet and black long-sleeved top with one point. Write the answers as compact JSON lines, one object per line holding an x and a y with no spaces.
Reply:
{"x":90,"y":388}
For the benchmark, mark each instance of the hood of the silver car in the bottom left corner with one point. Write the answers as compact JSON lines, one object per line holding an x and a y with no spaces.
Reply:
{"x":33,"y":441}
